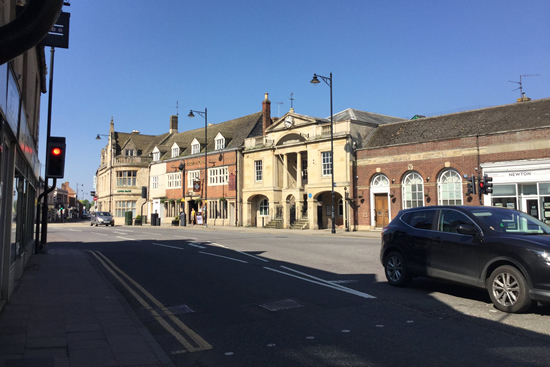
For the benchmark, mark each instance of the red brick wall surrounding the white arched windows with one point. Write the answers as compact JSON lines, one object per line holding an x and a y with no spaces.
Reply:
{"x":432,"y":167}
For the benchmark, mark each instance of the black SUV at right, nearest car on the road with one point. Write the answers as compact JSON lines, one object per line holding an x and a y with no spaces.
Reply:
{"x":504,"y":251}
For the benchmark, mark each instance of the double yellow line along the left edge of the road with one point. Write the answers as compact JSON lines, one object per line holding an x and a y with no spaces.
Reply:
{"x":195,"y":342}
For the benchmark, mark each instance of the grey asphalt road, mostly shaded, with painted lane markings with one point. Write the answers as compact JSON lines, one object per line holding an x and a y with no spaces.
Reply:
{"x":237,"y":297}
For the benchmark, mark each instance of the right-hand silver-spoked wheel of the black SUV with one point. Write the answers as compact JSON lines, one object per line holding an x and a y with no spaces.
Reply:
{"x":508,"y":290}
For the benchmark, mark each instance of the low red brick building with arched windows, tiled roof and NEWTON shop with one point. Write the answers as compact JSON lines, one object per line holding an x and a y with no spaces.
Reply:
{"x":423,"y":162}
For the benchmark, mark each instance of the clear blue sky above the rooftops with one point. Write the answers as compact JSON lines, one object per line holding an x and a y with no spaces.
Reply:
{"x":134,"y":59}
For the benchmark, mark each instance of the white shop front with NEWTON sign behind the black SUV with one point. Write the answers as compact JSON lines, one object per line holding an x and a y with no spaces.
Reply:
{"x":521,"y":185}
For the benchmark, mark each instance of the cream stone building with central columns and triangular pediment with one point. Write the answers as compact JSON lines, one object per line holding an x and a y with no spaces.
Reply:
{"x":288,"y":169}
